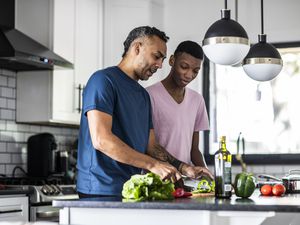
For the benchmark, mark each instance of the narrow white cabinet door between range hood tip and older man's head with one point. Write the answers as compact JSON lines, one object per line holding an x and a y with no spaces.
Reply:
{"x":88,"y":38}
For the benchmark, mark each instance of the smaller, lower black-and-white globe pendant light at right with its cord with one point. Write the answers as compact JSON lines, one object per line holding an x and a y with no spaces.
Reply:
{"x":263,"y":62}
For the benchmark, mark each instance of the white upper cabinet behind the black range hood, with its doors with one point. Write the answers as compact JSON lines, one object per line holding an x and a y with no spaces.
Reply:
{"x":75,"y":33}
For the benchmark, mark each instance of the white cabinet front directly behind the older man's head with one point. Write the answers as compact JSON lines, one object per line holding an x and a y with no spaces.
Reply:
{"x":120,"y":17}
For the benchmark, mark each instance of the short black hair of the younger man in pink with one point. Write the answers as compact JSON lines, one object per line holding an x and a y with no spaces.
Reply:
{"x":191,"y":48}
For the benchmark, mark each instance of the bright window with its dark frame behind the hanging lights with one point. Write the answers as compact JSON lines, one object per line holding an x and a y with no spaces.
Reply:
{"x":265,"y":114}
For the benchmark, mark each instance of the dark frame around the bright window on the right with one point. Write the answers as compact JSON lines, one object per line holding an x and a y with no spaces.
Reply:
{"x":251,"y":159}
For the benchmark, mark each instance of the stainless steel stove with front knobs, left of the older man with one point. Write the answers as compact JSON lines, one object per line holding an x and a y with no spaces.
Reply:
{"x":41,"y":193}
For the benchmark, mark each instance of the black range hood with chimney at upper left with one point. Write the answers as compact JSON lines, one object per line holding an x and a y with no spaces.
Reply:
{"x":19,"y":52}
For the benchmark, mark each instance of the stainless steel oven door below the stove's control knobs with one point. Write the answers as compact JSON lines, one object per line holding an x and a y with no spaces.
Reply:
{"x":44,"y":213}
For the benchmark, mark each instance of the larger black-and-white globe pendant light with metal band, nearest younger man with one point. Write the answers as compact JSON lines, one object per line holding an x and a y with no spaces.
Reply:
{"x":226,"y":41}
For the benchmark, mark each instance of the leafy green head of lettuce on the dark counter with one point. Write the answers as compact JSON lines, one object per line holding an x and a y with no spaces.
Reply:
{"x":147,"y":187}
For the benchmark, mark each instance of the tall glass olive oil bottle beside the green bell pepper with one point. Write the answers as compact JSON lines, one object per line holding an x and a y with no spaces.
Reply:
{"x":223,"y":171}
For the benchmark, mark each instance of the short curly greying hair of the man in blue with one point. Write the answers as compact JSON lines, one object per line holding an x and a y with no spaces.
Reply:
{"x":143,"y":32}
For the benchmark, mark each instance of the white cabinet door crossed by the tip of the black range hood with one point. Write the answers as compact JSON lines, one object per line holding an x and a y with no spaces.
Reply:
{"x":63,"y":91}
